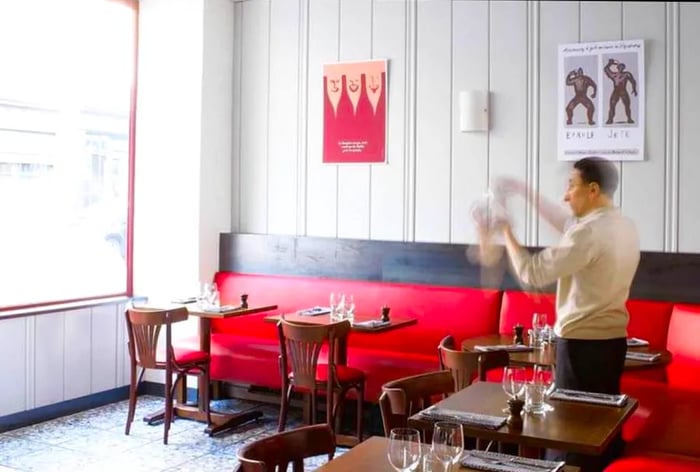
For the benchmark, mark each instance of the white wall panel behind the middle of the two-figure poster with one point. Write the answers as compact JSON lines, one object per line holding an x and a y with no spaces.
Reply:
{"x":602,"y":21}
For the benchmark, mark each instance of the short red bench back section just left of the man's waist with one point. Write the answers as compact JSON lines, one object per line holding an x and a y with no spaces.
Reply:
{"x":518,"y":307}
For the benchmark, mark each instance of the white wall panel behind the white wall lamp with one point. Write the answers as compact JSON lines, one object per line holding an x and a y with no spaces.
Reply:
{"x":470,"y":151}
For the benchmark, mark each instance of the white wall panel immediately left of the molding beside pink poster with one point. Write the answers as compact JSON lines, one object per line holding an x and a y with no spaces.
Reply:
{"x":284,"y":117}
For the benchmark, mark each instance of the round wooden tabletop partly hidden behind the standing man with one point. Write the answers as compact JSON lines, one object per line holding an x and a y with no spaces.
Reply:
{"x":547,"y":354}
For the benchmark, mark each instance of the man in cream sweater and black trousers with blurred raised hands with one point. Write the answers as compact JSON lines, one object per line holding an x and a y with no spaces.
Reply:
{"x":593,"y":264}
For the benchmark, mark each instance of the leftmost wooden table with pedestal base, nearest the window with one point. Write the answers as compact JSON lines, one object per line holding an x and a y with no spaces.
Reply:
{"x":220,"y":421}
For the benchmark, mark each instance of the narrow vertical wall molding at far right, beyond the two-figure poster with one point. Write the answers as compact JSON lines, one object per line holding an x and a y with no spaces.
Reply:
{"x":671,"y":212}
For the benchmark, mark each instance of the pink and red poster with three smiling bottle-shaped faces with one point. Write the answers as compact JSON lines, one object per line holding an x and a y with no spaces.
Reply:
{"x":354,"y":113}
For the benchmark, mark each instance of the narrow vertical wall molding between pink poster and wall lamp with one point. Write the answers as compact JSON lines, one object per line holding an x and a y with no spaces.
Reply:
{"x":410,"y":121}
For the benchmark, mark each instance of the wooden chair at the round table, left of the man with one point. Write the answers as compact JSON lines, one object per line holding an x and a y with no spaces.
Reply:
{"x":467,"y":366}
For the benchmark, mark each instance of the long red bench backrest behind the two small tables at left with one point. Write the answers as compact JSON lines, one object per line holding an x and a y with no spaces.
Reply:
{"x":462,"y":312}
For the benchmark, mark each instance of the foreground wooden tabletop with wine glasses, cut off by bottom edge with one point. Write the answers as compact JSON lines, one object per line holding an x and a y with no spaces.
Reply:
{"x":370,"y":455}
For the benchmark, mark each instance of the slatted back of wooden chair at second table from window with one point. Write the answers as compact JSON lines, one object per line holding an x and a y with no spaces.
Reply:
{"x":300,"y":346}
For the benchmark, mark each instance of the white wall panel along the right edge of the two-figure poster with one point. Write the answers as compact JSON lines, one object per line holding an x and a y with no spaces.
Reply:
{"x":640,"y":21}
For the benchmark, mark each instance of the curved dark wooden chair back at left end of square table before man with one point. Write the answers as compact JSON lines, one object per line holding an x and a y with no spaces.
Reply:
{"x":405,"y":397}
